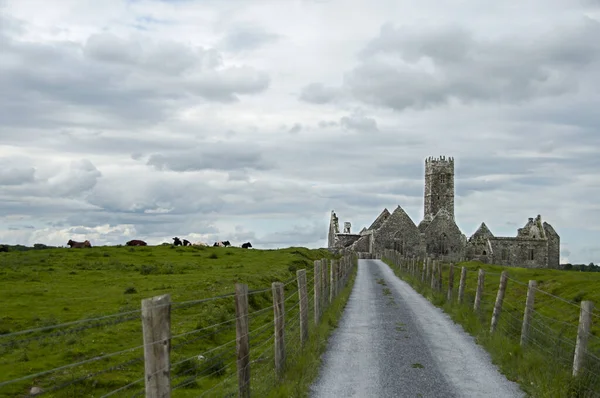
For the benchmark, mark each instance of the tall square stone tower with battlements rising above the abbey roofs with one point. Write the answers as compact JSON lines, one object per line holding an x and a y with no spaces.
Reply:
{"x":439,"y":186}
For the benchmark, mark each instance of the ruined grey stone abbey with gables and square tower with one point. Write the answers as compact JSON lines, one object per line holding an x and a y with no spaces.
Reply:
{"x":536,"y":245}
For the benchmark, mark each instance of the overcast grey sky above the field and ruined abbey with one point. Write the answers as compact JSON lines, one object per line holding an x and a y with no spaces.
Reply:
{"x":251,"y":120}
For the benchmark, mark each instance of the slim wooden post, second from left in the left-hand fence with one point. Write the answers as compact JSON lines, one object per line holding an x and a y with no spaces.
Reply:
{"x":242,"y":340}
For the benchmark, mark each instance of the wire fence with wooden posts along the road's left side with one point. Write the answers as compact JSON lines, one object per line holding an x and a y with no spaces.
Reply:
{"x":236,"y":343}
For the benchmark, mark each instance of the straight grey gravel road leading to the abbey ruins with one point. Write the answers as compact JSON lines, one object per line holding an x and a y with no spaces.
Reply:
{"x":392,"y":342}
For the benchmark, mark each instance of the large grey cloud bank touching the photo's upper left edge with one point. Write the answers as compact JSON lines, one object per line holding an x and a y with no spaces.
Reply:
{"x":115,"y":80}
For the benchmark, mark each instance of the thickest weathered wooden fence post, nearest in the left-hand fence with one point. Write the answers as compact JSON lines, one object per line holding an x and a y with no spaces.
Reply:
{"x":156,"y":327}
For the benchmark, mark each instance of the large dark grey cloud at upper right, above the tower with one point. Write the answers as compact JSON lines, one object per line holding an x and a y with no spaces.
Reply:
{"x":468,"y":68}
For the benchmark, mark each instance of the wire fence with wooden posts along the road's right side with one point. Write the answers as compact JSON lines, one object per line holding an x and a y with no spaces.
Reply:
{"x":571,"y":343}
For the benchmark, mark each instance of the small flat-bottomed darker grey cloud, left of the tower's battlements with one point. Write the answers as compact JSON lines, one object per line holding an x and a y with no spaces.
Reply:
{"x":219,"y":156}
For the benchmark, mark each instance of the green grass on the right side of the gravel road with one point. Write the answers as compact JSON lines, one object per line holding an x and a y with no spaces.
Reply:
{"x":543,"y":367}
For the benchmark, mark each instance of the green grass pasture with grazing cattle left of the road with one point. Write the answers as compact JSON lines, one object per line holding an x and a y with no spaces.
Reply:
{"x":44,"y":289}
